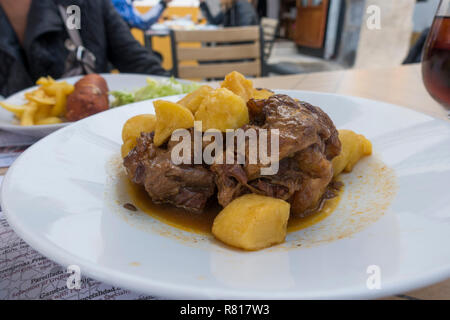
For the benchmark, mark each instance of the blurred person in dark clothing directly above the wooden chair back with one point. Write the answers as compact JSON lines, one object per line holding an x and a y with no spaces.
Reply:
{"x":234,"y":13}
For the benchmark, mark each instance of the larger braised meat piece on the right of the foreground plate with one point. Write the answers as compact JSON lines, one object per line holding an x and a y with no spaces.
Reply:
{"x":308,"y":141}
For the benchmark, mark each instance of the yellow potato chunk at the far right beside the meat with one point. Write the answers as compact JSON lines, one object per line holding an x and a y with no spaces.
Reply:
{"x":354,"y":147}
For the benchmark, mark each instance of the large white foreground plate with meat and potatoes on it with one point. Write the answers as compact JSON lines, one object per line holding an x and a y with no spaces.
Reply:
{"x":64,"y":197}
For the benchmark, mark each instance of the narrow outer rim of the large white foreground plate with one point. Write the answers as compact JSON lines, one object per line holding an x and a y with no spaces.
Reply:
{"x":167,"y":290}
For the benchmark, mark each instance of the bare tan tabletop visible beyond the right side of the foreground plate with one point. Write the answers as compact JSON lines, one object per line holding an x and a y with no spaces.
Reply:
{"x":401,"y":85}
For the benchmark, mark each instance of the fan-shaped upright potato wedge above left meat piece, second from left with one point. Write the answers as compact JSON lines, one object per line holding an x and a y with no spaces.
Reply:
{"x":170,"y":117}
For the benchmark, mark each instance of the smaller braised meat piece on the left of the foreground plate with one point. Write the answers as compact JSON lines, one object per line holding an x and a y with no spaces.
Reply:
{"x":184,"y":186}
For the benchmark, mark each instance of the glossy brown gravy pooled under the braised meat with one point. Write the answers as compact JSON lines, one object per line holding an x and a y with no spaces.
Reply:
{"x":202,"y":223}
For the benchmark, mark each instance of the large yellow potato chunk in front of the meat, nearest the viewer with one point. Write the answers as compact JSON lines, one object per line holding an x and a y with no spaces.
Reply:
{"x":252,"y":222}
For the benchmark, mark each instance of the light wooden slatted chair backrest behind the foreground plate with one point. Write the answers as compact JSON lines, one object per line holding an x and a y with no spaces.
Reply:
{"x":221,"y":51}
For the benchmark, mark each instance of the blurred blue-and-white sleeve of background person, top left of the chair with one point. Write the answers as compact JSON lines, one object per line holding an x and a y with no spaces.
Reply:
{"x":134,"y":18}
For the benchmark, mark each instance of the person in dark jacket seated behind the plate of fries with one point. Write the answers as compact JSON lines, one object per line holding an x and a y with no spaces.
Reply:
{"x":35,"y":42}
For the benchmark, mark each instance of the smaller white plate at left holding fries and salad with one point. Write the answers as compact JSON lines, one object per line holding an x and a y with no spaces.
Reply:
{"x":122,"y":81}
